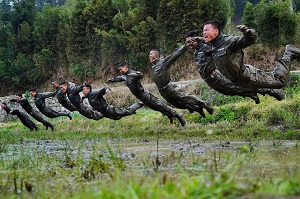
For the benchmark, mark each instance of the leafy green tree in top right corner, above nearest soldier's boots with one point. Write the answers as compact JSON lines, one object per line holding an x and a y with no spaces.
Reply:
{"x":275,"y":21}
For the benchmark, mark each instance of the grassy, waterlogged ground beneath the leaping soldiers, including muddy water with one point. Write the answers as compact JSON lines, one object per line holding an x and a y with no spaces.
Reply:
{"x":243,"y":150}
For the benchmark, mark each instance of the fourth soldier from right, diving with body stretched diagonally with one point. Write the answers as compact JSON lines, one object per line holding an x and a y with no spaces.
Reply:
{"x":132,"y":79}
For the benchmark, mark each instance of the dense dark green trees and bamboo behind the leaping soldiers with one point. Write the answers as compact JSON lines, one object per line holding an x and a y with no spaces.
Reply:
{"x":45,"y":39}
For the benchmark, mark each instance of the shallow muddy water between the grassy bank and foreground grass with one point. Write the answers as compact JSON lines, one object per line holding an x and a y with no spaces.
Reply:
{"x":263,"y":158}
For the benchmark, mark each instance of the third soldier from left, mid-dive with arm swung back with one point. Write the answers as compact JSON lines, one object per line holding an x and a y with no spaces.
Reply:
{"x":39,"y":100}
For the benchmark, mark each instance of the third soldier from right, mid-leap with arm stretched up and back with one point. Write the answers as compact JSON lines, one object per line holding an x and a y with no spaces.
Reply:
{"x":169,"y":90}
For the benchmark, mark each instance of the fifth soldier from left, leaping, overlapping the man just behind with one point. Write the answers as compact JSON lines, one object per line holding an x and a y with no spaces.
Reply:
{"x":73,"y":95}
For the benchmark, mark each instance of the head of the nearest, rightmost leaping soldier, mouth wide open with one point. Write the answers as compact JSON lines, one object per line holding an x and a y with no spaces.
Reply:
{"x":211,"y":30}
